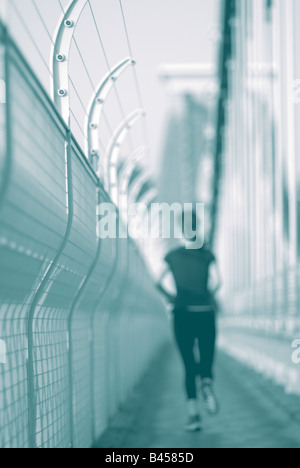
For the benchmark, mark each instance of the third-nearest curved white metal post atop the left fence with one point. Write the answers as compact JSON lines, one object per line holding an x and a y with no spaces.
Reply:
{"x":113,"y":152}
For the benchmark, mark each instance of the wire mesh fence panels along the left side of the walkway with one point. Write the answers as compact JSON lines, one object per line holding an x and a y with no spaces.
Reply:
{"x":78,"y":315}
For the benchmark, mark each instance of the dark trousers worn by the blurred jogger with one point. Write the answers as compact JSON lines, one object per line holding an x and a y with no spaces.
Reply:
{"x":189,"y":327}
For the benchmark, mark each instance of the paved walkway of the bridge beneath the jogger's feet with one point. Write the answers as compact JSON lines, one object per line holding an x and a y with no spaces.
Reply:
{"x":255,"y":413}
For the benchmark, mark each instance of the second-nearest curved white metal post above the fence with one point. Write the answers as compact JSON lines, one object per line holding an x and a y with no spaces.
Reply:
{"x":95,"y":108}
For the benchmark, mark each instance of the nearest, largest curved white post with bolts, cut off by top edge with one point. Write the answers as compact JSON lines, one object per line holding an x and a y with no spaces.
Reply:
{"x":60,"y":54}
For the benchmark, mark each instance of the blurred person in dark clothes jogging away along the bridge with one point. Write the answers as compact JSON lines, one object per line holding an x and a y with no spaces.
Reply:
{"x":197,"y":280}
